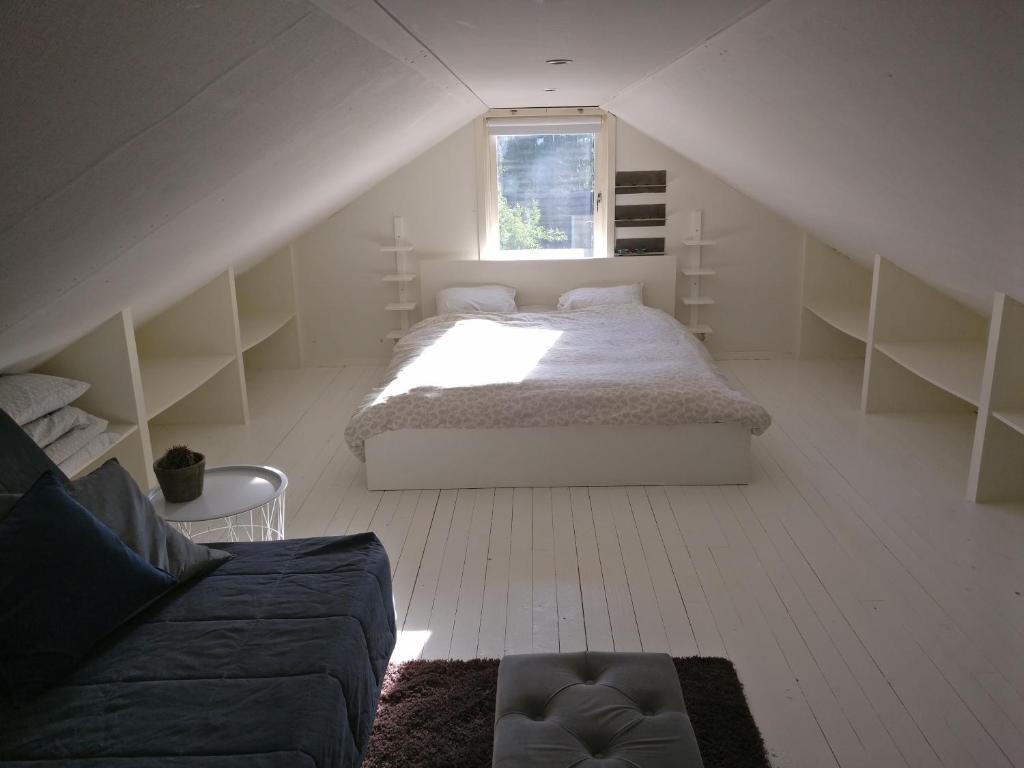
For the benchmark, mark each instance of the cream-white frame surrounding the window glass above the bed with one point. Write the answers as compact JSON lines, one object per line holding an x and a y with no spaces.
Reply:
{"x":487,"y":186}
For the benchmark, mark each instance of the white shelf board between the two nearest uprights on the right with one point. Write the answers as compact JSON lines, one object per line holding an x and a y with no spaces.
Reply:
{"x":953,"y":366}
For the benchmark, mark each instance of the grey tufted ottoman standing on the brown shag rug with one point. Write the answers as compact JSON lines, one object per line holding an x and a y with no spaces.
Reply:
{"x":592,"y":710}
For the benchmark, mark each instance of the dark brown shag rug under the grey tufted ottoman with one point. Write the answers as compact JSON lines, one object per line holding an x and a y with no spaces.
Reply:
{"x":442,"y":715}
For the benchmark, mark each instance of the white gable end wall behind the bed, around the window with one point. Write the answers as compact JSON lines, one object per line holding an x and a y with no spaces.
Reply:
{"x":339,"y":267}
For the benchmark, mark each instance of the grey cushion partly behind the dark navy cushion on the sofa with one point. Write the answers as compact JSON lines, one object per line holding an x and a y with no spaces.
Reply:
{"x":111,"y":494}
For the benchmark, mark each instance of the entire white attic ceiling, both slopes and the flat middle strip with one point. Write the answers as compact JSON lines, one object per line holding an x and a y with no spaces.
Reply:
{"x":145,"y":147}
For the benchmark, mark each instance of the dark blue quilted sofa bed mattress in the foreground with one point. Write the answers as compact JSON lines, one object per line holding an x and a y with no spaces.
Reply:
{"x":274,"y":660}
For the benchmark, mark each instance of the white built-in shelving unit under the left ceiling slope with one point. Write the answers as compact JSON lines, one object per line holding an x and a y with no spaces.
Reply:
{"x":184,"y":368}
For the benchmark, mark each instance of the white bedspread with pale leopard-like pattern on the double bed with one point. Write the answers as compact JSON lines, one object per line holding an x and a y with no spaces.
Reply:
{"x":611,"y":365}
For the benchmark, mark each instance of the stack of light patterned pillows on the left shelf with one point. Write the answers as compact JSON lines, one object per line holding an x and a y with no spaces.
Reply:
{"x":41,"y":406}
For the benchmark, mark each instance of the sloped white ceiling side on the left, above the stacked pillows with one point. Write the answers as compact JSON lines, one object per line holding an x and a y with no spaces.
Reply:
{"x":147,"y":147}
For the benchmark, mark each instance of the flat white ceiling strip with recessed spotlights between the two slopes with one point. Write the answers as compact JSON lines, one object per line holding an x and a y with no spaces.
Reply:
{"x":499,"y":49}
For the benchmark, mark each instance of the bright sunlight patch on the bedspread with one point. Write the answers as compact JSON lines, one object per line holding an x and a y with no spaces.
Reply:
{"x":475,"y":353}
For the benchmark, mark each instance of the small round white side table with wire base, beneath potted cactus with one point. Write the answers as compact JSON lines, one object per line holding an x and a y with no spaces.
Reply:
{"x":243,"y":502}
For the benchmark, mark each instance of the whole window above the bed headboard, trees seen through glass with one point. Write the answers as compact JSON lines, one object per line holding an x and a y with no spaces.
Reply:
{"x":544,"y":193}
